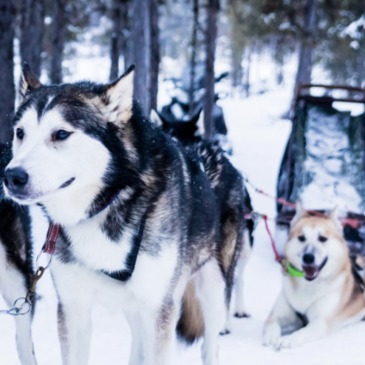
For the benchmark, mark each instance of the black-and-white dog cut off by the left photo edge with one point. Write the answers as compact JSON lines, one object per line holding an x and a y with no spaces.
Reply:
{"x":16,"y":268}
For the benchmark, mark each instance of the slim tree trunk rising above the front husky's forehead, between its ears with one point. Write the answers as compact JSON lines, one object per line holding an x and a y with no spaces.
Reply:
{"x":58,"y":40}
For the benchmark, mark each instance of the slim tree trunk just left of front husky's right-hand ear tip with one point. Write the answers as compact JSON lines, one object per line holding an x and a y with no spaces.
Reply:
{"x":115,"y":39}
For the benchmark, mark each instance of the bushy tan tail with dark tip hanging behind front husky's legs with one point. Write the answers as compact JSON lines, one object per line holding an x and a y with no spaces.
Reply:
{"x":190,"y":326}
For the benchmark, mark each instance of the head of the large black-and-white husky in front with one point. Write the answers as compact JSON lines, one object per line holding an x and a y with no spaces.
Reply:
{"x":65,"y":143}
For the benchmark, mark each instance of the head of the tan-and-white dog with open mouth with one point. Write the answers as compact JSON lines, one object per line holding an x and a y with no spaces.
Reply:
{"x":316,"y":245}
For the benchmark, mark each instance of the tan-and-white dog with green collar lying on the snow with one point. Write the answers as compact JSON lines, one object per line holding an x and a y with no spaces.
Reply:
{"x":320,"y":292}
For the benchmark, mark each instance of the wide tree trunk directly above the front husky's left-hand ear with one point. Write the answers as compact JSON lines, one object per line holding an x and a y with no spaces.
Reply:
{"x":32,"y":30}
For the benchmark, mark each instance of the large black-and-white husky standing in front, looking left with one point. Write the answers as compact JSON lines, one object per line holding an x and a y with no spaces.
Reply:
{"x":139,"y":221}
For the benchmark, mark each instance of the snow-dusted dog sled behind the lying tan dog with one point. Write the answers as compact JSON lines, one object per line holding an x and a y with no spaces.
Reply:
{"x":324,"y":161}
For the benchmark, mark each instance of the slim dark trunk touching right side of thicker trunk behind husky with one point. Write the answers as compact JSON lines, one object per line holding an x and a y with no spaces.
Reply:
{"x":155,"y":53}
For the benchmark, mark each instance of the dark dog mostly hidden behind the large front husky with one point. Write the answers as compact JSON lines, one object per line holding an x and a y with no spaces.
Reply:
{"x":221,"y":174}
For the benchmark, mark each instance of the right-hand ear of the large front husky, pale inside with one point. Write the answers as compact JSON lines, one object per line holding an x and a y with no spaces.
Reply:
{"x":118,"y":98}
